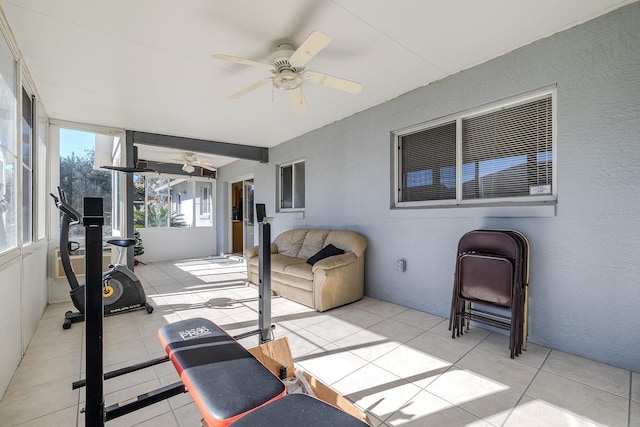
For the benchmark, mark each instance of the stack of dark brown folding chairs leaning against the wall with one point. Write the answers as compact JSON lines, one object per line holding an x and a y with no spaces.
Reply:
{"x":491,"y":284}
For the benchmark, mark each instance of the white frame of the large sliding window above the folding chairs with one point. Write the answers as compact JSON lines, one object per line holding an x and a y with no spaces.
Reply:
{"x":459,"y":201}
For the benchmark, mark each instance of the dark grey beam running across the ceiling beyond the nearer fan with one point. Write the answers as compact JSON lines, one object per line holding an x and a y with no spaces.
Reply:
{"x":238,"y":151}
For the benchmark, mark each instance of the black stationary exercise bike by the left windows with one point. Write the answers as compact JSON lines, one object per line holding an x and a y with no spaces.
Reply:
{"x":121,"y":289}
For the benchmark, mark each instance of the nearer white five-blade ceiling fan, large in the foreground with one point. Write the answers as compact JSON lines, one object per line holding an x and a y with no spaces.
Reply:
{"x":288,"y":68}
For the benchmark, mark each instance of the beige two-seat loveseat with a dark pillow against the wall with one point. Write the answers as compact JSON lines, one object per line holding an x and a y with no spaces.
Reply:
{"x":330,"y":282}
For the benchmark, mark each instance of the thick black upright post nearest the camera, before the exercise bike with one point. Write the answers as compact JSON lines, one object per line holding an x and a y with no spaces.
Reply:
{"x":93,"y":220}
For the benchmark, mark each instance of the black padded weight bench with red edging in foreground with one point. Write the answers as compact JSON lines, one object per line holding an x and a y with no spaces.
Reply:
{"x":226,"y":382}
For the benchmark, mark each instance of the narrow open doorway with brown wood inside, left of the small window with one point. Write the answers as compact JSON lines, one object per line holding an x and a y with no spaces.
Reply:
{"x":242,"y":215}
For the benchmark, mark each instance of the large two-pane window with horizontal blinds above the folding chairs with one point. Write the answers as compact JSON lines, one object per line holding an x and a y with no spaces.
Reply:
{"x":502,"y":153}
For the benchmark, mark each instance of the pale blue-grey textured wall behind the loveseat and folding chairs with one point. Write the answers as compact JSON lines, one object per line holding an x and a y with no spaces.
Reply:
{"x":585,"y":264}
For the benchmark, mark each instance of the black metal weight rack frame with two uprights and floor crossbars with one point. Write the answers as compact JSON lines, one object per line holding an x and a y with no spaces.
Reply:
{"x":96,"y":414}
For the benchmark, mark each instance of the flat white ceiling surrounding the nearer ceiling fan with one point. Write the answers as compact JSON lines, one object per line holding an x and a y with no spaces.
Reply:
{"x":146,"y":64}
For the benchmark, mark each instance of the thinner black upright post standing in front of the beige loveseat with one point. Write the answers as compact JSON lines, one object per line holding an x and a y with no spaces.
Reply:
{"x":264,"y":279}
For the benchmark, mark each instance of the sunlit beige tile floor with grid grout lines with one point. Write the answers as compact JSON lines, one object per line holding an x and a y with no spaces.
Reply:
{"x":398,"y":364}
